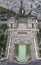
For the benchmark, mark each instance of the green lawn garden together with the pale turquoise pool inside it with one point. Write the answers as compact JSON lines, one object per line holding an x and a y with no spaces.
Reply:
{"x":22,"y":52}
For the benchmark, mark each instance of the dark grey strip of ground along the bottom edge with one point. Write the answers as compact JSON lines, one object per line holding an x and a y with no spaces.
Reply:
{"x":13,"y":63}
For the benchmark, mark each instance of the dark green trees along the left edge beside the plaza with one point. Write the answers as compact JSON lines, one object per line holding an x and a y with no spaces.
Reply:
{"x":3,"y":38}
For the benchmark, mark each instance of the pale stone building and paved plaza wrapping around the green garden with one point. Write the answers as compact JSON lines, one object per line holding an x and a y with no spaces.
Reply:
{"x":24,"y":34}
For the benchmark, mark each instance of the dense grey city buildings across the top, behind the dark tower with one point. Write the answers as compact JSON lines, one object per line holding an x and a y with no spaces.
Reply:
{"x":15,"y":4}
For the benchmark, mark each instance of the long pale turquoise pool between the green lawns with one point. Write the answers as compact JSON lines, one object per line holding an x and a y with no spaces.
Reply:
{"x":21,"y":52}
